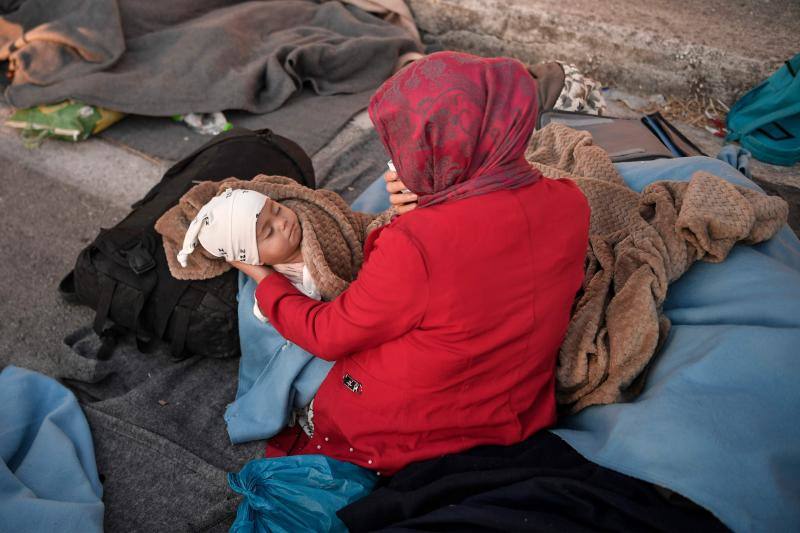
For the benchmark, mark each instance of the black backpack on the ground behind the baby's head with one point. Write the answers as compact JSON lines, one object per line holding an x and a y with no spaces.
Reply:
{"x":124,"y":276}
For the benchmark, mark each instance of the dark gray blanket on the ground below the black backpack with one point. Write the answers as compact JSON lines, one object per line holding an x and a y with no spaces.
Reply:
{"x":160,"y":440}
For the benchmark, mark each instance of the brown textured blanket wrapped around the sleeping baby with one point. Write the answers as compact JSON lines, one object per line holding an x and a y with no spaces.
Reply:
{"x":333,"y":234}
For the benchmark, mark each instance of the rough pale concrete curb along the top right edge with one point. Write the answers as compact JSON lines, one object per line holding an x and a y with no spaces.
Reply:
{"x":647,"y":46}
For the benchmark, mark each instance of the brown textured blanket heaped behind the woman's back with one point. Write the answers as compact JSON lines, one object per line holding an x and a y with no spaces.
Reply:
{"x":638,"y":245}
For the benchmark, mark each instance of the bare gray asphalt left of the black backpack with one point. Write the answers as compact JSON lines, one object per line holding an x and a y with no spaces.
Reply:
{"x":45,"y":223}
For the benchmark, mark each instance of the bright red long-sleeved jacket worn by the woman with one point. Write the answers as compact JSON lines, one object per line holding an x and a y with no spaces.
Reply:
{"x":448,"y":338}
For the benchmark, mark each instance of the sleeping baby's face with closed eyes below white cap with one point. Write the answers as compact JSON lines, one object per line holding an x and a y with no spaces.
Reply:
{"x":278,"y":234}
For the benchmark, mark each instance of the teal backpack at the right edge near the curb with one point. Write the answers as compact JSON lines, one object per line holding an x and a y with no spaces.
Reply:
{"x":766,"y":120}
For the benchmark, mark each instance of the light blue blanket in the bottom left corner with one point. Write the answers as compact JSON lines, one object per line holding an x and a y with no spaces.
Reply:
{"x":48,"y":477}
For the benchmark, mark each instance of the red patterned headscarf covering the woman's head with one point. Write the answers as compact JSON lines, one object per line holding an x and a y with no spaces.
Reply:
{"x":457,"y":125}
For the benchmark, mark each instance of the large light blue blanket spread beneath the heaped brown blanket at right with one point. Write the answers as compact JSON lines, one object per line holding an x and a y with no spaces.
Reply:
{"x":717,"y":419}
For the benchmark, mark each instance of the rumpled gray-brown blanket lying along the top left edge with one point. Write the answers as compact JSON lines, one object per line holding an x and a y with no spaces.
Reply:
{"x":192,"y":56}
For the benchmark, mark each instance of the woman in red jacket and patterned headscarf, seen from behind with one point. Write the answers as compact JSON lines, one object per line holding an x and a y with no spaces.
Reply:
{"x":448,"y":338}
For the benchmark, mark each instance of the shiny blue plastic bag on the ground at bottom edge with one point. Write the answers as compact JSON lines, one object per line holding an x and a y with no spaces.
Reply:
{"x":296,"y":493}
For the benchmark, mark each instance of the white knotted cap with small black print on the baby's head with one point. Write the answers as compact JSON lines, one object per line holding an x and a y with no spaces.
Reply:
{"x":226,"y":227}
